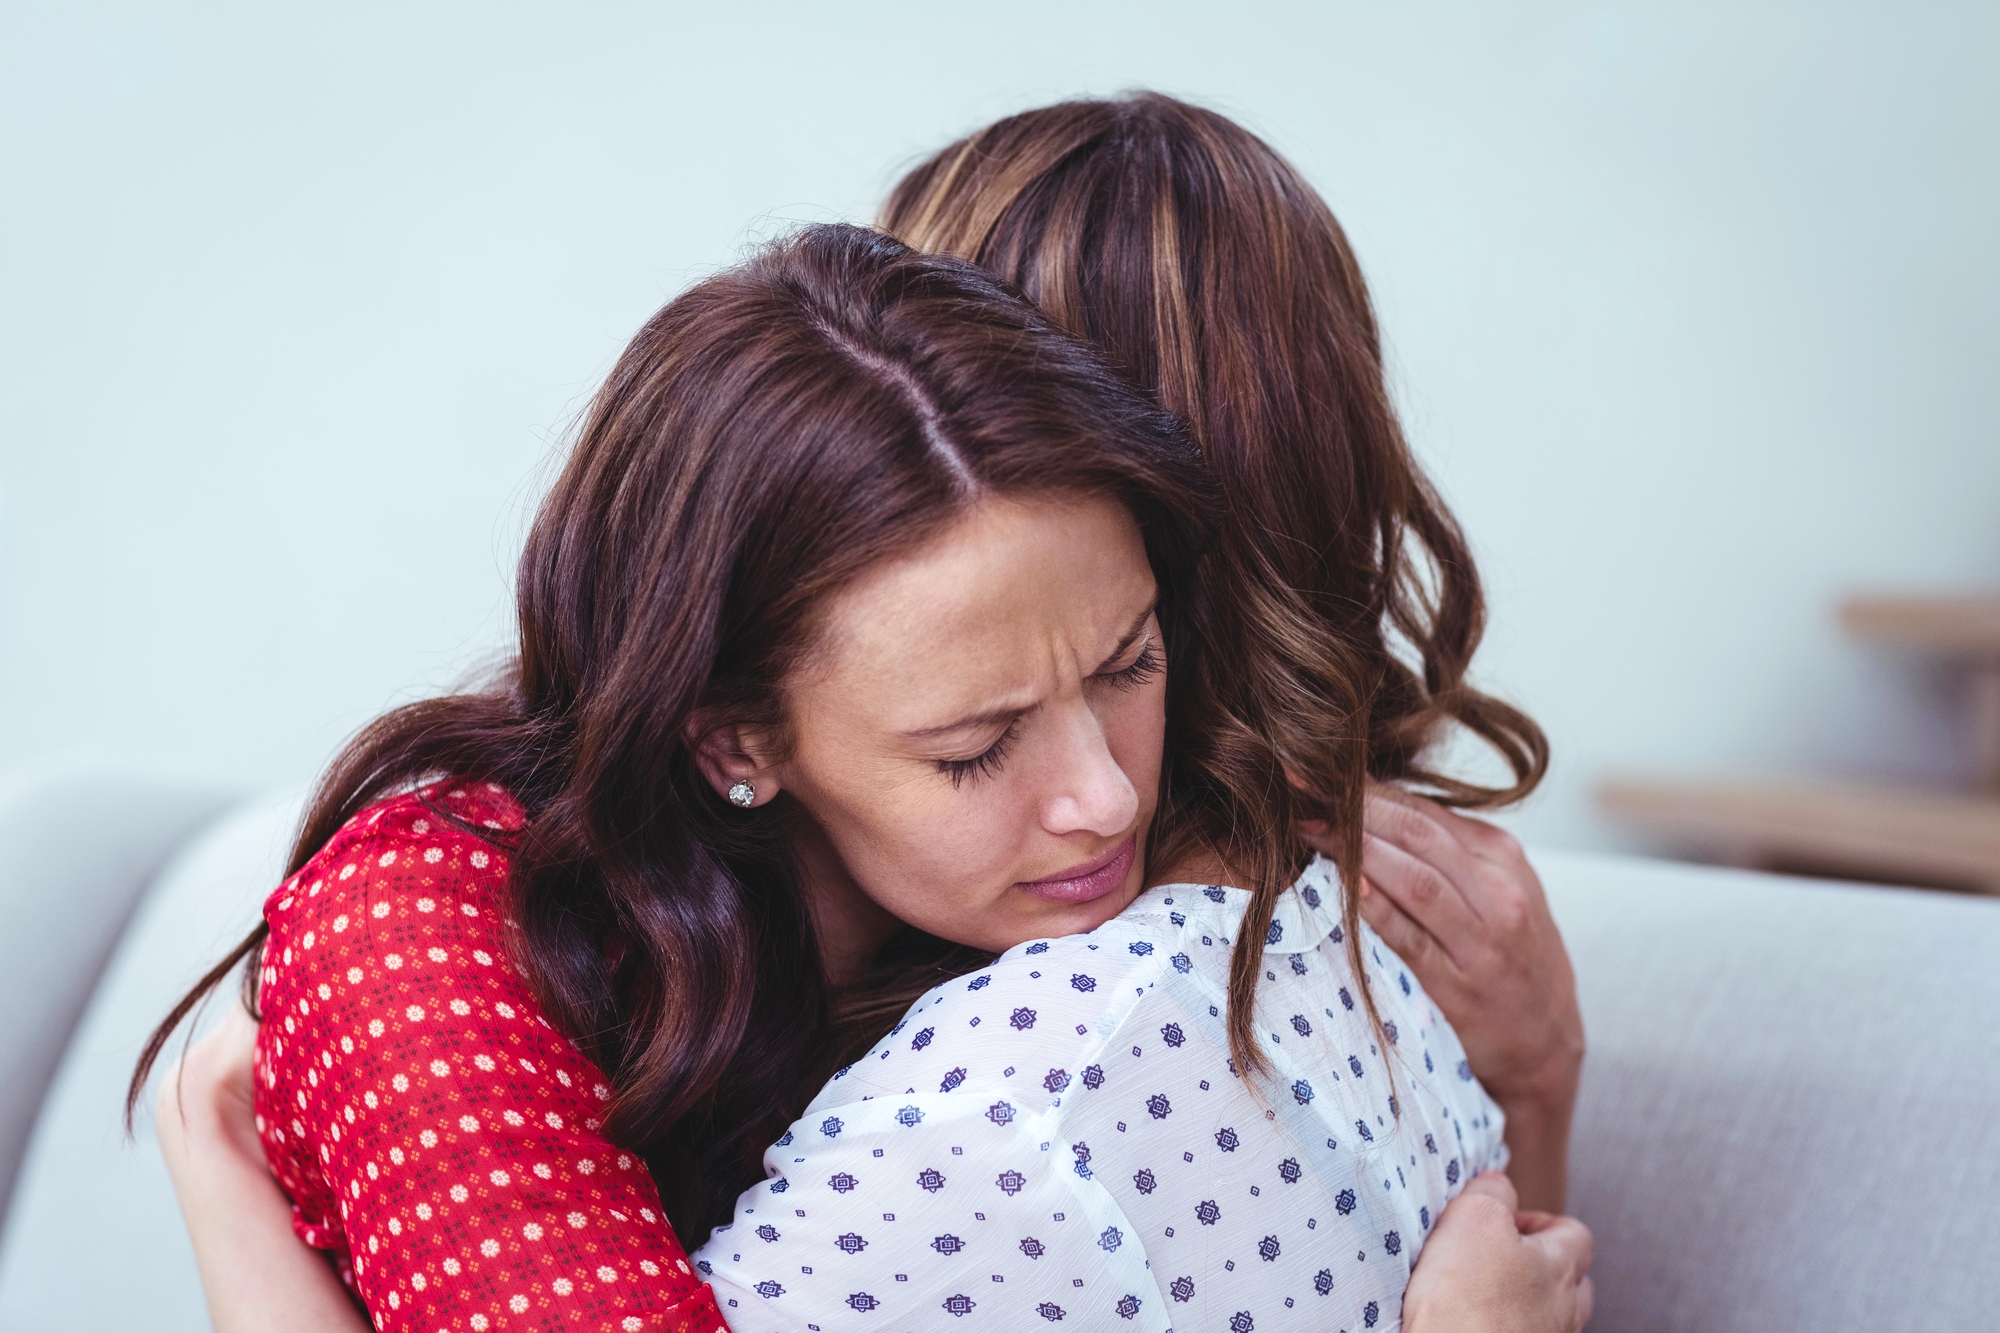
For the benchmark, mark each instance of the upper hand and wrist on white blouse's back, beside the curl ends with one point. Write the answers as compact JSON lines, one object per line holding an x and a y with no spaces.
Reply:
{"x":1459,"y":902}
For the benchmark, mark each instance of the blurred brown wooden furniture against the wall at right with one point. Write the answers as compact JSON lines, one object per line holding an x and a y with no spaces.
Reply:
{"x":1855,"y":832}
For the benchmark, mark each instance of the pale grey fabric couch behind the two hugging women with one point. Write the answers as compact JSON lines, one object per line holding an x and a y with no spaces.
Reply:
{"x":1791,"y":1112}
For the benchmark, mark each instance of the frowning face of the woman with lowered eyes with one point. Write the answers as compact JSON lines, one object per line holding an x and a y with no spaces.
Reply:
{"x":981,"y":732}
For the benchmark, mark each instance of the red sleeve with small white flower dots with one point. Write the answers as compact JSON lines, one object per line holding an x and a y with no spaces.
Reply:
{"x":435,"y":1134}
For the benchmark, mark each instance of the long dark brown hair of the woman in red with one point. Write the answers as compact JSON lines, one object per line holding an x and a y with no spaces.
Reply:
{"x":767,"y":437}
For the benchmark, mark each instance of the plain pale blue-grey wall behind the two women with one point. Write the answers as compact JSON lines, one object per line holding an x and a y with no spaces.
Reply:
{"x":1693,"y":311}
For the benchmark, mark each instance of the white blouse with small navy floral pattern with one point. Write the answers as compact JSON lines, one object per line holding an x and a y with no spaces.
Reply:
{"x":1063,"y":1138}
